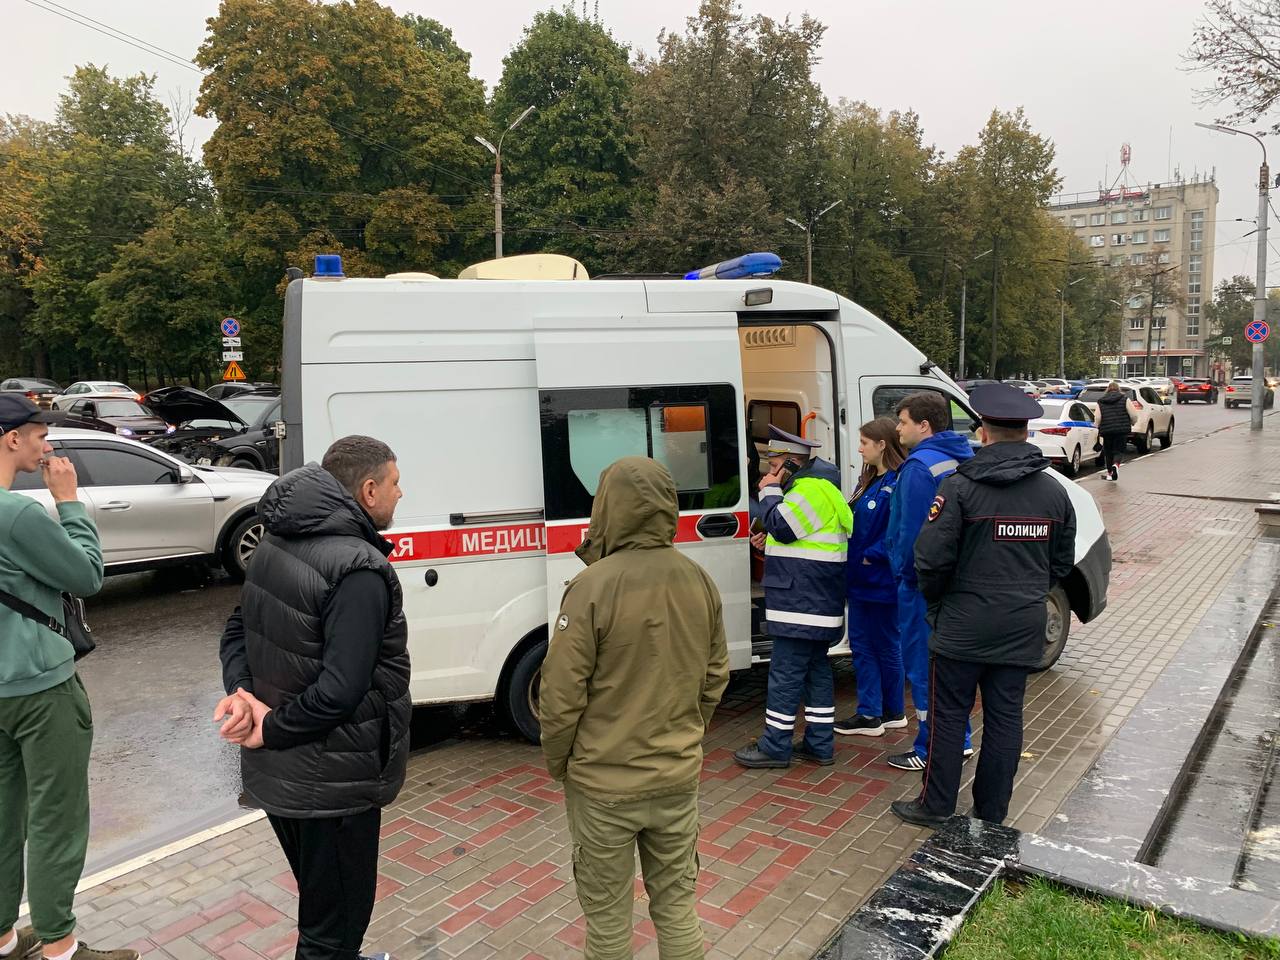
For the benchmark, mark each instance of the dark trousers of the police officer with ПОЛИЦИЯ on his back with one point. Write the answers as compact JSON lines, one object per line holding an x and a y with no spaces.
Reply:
{"x":954,"y":685}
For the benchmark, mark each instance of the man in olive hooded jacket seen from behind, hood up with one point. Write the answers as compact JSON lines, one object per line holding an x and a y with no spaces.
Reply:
{"x":637,"y":665}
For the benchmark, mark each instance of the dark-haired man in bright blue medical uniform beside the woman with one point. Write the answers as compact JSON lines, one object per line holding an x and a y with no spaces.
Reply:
{"x":934,"y":454}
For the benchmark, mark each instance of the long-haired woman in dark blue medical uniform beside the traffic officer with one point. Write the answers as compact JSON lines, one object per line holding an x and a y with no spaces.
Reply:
{"x":874,"y":637}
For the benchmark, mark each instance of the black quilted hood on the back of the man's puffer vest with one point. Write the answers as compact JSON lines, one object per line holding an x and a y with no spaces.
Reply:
{"x":310,"y":502}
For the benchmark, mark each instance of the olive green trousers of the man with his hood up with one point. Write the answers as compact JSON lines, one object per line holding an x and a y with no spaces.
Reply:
{"x":606,"y":836}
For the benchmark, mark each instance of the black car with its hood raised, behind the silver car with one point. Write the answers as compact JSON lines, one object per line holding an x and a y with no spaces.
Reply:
{"x":237,"y":432}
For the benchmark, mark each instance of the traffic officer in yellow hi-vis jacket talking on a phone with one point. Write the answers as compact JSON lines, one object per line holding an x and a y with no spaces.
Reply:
{"x":807,"y":523}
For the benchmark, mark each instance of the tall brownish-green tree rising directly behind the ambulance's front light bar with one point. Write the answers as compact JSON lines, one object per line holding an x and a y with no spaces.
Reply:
{"x":726,"y":111}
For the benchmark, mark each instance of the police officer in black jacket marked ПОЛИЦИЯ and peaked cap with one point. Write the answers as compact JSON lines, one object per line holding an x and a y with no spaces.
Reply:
{"x":1000,"y":534}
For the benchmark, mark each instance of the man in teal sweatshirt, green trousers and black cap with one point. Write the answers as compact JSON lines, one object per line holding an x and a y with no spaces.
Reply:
{"x":45,"y":723}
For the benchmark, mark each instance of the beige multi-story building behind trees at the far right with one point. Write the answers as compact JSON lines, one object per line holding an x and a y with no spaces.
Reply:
{"x":1145,"y":227}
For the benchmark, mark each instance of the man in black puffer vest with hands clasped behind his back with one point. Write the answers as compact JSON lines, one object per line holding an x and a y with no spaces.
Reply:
{"x":317,"y":674}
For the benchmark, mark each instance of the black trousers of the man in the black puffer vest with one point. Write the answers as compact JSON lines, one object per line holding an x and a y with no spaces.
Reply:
{"x":335,"y":861}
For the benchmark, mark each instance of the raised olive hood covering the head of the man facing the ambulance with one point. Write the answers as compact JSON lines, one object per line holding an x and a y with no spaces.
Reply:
{"x":636,"y":509}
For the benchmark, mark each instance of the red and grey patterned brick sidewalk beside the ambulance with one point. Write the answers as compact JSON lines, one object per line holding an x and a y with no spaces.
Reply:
{"x":477,"y":860}
